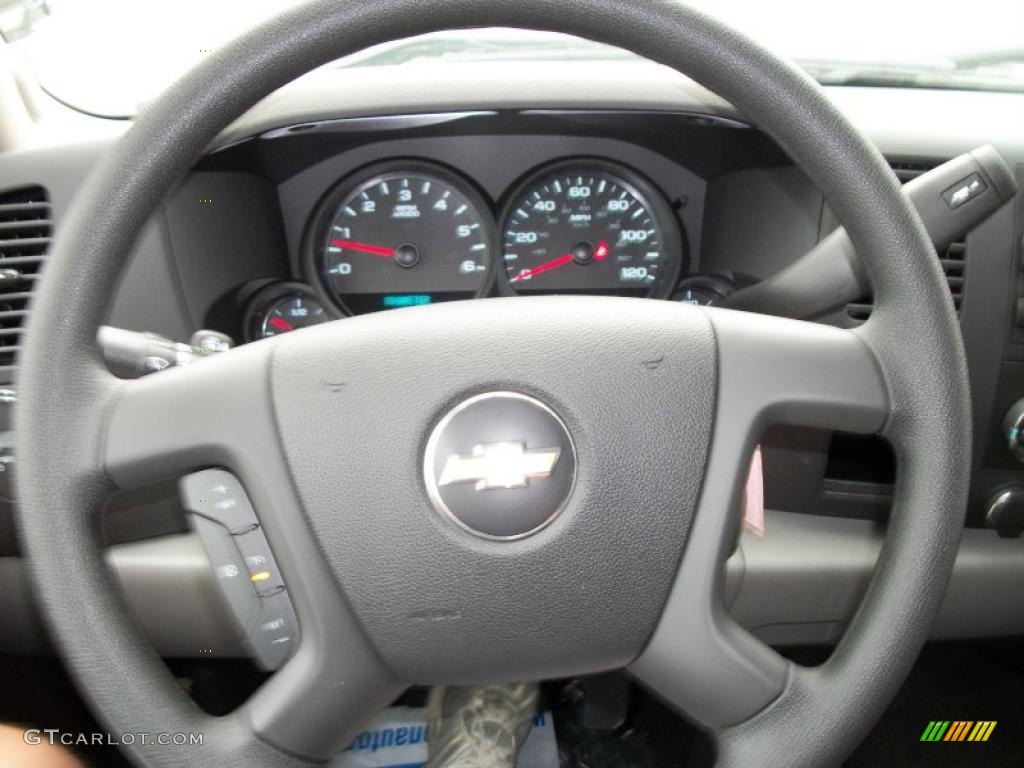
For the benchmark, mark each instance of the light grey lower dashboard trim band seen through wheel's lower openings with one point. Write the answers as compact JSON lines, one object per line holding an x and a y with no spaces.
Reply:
{"x":798,"y":585}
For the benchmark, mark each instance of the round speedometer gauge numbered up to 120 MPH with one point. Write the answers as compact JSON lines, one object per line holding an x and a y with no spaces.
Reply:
{"x":590,"y":228}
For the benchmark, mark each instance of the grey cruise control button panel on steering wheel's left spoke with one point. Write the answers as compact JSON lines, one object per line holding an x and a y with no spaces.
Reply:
{"x":246,"y":572}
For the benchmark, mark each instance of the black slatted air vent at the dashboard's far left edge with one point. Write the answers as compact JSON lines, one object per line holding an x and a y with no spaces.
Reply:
{"x":26,"y":232}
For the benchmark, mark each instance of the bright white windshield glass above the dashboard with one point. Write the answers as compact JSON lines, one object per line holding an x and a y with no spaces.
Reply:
{"x":111,"y":57}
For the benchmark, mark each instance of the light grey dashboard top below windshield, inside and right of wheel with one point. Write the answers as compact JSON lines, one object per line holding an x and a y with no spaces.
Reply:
{"x":909,"y":122}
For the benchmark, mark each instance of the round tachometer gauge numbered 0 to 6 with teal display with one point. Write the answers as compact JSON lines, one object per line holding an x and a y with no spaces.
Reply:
{"x":404,"y":237}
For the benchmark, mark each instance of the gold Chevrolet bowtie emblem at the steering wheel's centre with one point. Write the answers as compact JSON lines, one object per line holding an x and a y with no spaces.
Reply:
{"x":500,"y":465}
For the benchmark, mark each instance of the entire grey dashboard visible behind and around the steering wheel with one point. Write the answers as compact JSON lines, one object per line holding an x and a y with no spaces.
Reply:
{"x":361,"y":193}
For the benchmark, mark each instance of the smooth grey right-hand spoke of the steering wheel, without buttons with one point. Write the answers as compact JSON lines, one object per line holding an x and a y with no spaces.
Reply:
{"x":772,"y":371}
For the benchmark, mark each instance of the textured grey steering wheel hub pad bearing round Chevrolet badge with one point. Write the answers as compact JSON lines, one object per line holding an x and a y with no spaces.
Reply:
{"x":526,"y":522}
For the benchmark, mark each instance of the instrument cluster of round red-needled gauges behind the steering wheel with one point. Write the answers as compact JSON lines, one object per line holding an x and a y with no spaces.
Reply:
{"x":408,"y":233}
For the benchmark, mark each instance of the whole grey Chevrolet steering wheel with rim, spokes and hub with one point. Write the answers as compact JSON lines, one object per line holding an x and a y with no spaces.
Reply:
{"x":660,"y":407}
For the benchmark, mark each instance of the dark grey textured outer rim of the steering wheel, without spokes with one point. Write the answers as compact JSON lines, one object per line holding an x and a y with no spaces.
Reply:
{"x":65,"y":391}
